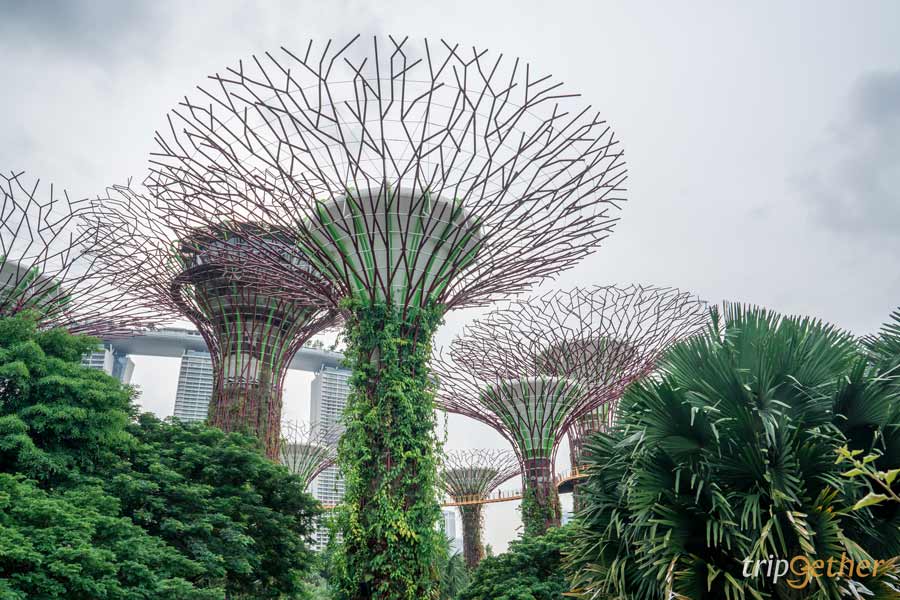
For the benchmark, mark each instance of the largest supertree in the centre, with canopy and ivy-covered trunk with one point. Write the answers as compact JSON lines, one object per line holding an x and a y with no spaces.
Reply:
{"x":416,"y":180}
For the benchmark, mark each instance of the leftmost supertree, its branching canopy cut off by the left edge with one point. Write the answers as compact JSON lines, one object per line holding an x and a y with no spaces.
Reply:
{"x":49,"y":266}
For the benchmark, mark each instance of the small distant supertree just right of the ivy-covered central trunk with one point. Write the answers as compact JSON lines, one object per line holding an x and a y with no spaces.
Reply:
{"x":469,"y":477}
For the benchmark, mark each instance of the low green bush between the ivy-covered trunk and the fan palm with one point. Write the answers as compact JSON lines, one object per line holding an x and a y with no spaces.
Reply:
{"x":530,"y":570}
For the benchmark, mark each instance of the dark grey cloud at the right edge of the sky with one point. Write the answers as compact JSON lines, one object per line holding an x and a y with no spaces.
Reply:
{"x":855,"y":187}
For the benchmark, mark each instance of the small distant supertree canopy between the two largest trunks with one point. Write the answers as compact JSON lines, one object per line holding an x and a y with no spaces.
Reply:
{"x":307,"y":449}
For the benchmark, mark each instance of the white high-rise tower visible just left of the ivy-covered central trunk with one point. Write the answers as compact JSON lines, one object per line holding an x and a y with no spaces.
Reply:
{"x":327,"y":401}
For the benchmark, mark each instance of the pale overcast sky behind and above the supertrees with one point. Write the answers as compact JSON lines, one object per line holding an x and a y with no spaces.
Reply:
{"x":763,"y":138}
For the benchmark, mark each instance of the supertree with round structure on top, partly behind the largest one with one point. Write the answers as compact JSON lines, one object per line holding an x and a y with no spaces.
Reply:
{"x":192,"y":274}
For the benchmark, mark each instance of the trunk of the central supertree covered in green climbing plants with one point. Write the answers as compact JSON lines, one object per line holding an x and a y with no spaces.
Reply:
{"x":388,"y":457}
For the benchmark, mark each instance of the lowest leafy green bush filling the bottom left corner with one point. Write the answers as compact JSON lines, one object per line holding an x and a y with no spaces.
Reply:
{"x":74,"y":545}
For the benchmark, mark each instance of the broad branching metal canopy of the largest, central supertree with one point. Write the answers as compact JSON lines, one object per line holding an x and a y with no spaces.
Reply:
{"x":410,"y":175}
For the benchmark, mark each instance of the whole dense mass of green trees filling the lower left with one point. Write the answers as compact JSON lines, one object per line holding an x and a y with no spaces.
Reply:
{"x":116,"y":508}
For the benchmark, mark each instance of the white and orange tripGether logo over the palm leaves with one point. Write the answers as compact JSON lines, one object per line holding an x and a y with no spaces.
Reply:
{"x":800,"y":570}
